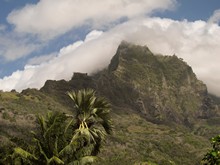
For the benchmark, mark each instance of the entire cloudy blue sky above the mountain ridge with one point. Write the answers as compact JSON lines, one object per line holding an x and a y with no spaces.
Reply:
{"x":50,"y":39}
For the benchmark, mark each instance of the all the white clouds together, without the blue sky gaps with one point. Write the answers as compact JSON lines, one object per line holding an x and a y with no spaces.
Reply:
{"x":196,"y":42}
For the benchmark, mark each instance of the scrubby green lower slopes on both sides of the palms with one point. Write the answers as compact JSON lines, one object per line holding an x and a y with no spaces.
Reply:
{"x":134,"y":138}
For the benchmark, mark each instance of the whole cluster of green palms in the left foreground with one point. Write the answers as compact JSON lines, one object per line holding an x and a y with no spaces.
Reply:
{"x":68,"y":139}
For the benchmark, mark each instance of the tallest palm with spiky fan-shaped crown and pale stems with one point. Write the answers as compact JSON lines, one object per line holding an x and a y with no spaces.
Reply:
{"x":92,"y":118}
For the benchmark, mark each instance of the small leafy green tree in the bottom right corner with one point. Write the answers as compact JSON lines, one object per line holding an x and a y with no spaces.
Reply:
{"x":212,"y":157}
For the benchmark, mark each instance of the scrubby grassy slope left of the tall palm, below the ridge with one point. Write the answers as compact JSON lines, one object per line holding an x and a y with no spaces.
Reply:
{"x":18,"y":114}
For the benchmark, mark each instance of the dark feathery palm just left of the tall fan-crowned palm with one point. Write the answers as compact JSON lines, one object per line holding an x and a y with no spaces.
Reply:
{"x":49,"y":140}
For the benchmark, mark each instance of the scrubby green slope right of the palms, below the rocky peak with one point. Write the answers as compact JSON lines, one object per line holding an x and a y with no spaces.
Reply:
{"x":137,"y":140}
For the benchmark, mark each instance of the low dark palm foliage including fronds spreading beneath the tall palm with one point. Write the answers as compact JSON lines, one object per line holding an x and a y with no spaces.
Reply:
{"x":52,"y":144}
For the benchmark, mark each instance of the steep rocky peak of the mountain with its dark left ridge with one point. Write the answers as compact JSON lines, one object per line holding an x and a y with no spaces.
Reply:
{"x":163,"y":88}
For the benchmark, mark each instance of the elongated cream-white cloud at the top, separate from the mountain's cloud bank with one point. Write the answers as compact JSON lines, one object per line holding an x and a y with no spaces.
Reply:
{"x":49,"y":18}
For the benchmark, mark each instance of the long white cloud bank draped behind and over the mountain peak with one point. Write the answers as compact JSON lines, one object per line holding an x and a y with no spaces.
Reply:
{"x":195,"y":42}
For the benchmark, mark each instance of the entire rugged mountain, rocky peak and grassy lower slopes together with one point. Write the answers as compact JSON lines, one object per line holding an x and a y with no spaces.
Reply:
{"x":161,"y":111}
